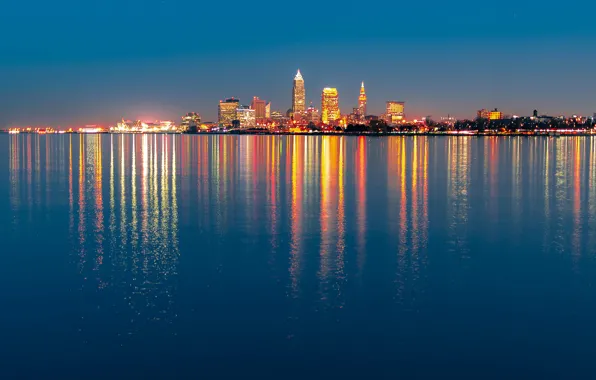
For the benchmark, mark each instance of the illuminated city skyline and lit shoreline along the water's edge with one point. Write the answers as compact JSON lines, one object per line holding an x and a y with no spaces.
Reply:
{"x":259,"y":117}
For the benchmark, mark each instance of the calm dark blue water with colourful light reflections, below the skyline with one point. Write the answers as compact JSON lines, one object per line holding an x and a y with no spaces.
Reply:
{"x":297,"y":257}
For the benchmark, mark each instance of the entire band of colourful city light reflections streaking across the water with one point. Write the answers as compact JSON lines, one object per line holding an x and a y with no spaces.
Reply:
{"x":308,"y":201}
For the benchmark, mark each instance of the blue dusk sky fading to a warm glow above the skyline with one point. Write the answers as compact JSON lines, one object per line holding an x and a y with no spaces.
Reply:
{"x":66,"y":63}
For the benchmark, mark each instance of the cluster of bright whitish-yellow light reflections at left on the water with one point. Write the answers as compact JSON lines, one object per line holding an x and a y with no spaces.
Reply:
{"x":142,"y":250}
